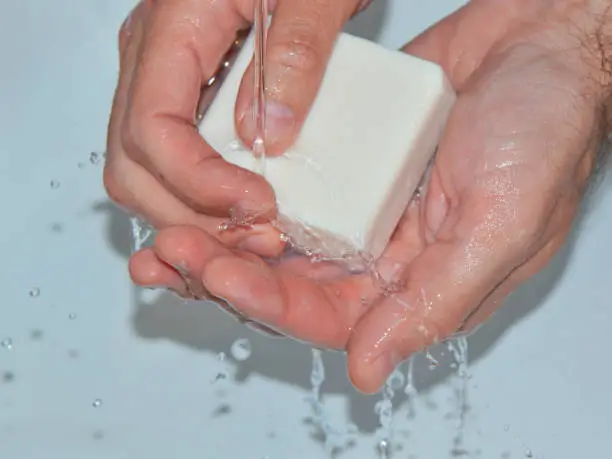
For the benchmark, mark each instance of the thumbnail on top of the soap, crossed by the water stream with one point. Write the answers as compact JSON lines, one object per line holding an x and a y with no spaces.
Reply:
{"x":280,"y":123}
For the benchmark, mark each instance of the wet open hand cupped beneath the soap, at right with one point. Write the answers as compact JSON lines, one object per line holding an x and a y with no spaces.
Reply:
{"x":508,"y":177}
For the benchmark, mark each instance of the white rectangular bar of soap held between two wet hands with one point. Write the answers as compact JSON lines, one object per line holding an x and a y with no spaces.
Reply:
{"x":344,"y":185}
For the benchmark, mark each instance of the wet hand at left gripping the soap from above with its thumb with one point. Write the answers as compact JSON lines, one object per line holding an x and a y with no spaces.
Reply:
{"x":158,"y":166}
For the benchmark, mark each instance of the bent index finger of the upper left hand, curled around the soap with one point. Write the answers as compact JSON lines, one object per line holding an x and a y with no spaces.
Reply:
{"x":185,"y":42}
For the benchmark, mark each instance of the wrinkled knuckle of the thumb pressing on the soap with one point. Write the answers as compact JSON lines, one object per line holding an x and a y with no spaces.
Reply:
{"x":301,"y":53}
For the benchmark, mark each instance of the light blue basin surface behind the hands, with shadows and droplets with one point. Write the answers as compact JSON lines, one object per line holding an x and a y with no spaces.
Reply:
{"x":541,"y":372}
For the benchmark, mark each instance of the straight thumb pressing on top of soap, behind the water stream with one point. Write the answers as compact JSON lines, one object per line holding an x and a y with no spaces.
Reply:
{"x":299,"y":44}
